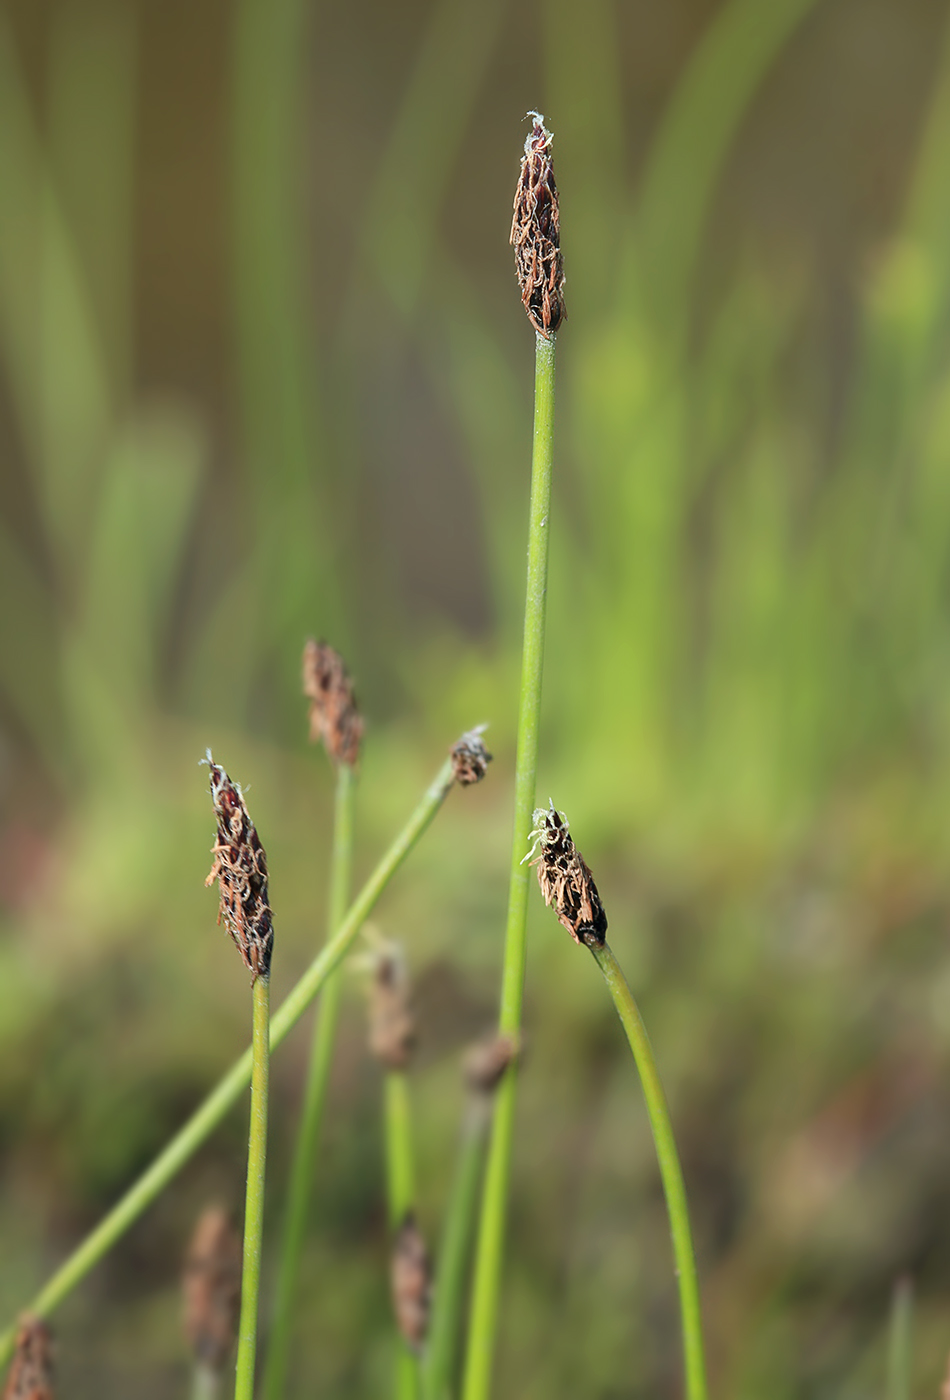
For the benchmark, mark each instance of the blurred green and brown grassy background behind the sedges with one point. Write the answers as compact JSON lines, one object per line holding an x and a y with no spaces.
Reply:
{"x":265,"y":374}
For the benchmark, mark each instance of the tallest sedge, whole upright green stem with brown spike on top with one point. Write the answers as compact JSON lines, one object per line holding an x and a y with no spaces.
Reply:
{"x":535,"y":237}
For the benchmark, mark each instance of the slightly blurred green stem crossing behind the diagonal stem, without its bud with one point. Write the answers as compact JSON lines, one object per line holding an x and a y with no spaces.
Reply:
{"x":309,"y":1133}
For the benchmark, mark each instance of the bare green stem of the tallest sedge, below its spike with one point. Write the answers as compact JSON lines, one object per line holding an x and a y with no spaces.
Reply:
{"x":495,"y":1203}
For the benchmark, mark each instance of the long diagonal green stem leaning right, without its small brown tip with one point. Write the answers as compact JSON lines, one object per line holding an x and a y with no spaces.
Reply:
{"x":208,"y":1116}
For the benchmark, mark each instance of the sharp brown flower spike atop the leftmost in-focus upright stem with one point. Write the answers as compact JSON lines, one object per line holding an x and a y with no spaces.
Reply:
{"x":241,"y":871}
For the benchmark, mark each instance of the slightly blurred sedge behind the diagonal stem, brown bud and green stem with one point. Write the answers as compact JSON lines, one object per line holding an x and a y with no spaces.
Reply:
{"x":338,"y":723}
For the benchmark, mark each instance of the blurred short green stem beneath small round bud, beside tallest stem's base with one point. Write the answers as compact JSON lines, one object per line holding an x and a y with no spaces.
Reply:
{"x":439,"y":1368}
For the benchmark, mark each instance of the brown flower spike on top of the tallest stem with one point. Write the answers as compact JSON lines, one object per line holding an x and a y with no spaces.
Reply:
{"x":535,"y":234}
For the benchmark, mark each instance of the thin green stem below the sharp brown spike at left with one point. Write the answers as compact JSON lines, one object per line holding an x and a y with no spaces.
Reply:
{"x":254,"y":1214}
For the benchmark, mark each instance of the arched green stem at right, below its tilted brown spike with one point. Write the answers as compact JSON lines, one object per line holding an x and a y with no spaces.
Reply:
{"x":671,"y":1172}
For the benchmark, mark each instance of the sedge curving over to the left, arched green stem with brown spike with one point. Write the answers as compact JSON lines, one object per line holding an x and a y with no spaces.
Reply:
{"x":569,"y":887}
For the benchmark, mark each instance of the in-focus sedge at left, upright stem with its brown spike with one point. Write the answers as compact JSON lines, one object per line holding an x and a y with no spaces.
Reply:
{"x":241,"y":871}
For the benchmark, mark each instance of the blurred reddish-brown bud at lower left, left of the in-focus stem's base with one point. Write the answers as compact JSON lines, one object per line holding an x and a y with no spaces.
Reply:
{"x":212,"y":1289}
